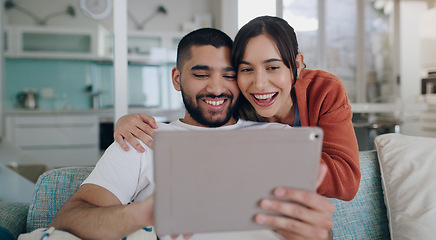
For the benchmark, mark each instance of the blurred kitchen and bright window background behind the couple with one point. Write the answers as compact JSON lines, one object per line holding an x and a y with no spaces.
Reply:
{"x":58,"y":85}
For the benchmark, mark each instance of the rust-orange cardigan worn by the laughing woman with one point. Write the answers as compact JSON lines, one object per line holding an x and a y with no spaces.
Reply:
{"x":322,"y":101}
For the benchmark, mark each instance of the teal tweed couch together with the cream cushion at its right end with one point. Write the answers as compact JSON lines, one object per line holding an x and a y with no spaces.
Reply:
{"x":396,"y":198}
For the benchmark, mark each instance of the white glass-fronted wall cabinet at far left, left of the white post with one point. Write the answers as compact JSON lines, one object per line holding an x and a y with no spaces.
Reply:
{"x":63,"y":43}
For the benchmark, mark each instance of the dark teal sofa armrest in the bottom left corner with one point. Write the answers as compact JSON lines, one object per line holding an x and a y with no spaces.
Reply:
{"x":13,"y":217}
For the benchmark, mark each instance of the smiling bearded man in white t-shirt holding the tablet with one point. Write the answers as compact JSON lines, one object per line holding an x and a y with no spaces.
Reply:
{"x":116,"y":199}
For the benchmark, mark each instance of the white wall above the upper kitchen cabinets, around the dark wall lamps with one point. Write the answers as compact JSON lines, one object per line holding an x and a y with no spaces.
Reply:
{"x":178,"y":12}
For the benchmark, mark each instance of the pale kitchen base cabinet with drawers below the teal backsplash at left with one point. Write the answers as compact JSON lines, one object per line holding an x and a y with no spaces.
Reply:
{"x":56,"y":140}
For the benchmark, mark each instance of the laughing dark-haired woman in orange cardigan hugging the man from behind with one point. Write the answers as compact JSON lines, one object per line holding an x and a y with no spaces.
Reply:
{"x":277,"y":88}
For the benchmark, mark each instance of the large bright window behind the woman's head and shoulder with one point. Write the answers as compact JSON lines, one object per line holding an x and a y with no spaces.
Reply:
{"x":351,"y":39}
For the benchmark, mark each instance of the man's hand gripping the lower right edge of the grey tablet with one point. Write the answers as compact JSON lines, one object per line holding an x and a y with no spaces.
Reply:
{"x":304,"y":215}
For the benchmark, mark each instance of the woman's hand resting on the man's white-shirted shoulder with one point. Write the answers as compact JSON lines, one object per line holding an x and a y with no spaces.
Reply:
{"x":134,"y":126}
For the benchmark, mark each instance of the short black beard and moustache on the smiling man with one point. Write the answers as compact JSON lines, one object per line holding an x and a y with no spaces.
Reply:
{"x":198,"y":114}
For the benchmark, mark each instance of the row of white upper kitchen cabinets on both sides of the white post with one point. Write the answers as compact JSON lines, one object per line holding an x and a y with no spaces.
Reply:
{"x":88,"y":44}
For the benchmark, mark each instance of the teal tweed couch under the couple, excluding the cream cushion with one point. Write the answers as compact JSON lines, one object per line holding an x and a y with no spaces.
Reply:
{"x":362,"y":218}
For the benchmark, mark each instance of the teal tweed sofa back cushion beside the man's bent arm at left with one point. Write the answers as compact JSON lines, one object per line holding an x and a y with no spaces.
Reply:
{"x":52,"y":190}
